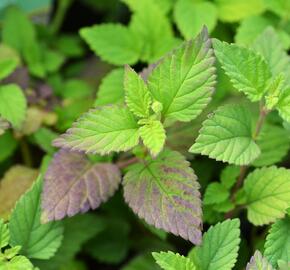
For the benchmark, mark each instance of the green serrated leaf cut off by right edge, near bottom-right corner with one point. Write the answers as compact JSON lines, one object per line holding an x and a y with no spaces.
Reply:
{"x":277,"y":246}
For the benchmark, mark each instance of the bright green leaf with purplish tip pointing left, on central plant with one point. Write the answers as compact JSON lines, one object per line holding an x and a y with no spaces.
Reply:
{"x":102,"y":130}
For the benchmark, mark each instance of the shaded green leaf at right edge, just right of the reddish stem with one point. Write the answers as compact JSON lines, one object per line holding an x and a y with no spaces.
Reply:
{"x":274,"y":144}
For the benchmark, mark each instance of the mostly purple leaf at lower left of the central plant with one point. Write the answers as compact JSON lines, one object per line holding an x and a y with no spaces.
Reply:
{"x":74,"y":185}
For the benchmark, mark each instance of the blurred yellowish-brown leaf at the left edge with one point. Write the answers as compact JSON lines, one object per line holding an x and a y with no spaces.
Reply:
{"x":16,"y":181}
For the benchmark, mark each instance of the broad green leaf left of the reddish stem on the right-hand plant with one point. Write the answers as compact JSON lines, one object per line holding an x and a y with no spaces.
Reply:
{"x":227,"y":136}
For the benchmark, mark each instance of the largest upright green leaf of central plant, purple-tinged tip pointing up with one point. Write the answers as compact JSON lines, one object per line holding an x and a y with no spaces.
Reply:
{"x":186,"y":89}
